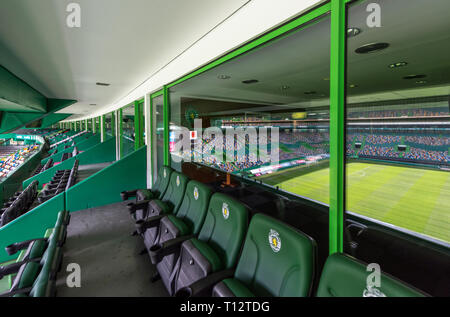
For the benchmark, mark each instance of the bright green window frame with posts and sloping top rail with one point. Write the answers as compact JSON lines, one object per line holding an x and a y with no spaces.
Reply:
{"x":337,"y":9}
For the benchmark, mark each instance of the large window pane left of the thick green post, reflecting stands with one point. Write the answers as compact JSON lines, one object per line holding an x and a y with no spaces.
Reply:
{"x":264,"y":115}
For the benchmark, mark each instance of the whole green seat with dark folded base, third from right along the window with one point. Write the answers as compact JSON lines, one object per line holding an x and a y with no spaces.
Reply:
{"x":212,"y":255}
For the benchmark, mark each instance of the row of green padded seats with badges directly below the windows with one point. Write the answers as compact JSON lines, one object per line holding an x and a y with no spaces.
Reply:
{"x":202,"y":245}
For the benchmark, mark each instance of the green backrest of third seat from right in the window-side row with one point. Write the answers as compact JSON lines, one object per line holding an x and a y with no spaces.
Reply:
{"x":224,"y":227}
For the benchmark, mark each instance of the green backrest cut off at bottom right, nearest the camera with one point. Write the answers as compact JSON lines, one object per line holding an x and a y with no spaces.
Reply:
{"x":344,"y":276}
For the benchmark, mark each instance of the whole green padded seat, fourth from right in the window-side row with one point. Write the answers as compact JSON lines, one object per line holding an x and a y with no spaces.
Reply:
{"x":175,"y":229}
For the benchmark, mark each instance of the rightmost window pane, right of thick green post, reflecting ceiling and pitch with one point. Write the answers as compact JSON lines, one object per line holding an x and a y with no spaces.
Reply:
{"x":398,"y":127}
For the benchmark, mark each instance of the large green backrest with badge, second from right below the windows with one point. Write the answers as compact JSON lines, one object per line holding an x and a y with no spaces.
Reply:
{"x":277,"y":259}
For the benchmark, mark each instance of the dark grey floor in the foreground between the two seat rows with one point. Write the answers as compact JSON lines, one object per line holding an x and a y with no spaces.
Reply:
{"x":99,"y":240}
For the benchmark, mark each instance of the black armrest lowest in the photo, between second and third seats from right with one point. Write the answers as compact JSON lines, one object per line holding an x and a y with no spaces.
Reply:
{"x":204,"y":286}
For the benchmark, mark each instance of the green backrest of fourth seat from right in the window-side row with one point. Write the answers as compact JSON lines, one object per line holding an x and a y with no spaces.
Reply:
{"x":194,"y":205}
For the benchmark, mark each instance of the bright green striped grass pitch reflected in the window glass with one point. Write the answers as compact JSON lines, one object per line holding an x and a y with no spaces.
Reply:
{"x":411,"y":198}
